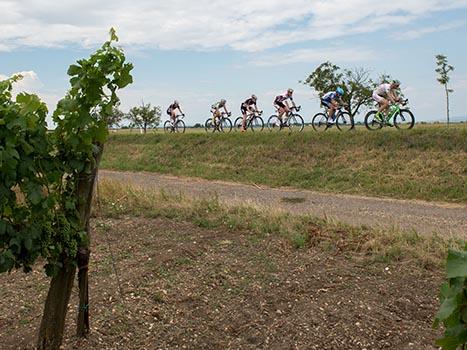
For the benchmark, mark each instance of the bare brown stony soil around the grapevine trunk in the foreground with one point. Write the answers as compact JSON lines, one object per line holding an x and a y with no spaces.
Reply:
{"x":179,"y":286}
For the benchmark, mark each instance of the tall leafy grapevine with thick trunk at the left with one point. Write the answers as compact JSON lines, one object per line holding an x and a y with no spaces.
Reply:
{"x":47,"y":178}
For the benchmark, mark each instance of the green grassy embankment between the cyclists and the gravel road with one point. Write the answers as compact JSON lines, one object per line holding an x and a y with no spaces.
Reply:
{"x":428,"y":163}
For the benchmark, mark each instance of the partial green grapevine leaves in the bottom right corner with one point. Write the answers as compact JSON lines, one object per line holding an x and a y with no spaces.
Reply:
{"x":453,"y":311}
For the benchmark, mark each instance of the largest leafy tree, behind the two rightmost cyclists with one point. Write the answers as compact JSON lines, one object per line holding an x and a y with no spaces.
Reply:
{"x":355,"y":82}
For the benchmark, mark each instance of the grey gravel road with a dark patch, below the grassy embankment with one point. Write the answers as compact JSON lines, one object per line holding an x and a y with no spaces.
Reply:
{"x":425,"y":217}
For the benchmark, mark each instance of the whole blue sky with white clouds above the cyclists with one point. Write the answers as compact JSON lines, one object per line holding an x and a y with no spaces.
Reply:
{"x":201,"y":51}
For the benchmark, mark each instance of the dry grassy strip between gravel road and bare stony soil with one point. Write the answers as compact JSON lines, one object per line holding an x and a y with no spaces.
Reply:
{"x":300,"y":232}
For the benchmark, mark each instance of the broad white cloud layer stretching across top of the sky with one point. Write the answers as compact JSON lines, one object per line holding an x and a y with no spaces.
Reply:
{"x":248,"y":25}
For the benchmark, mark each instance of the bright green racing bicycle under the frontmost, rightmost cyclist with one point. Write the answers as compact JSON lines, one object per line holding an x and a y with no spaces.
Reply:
{"x":402,"y":118}
